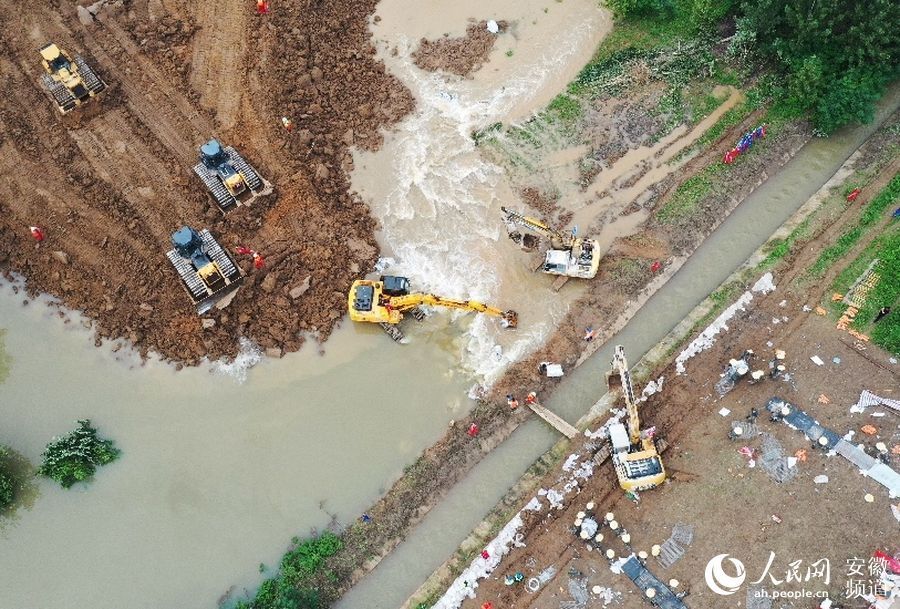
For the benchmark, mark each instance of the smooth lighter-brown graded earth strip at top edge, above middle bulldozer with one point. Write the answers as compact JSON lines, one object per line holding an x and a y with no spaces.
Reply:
{"x":217,"y":66}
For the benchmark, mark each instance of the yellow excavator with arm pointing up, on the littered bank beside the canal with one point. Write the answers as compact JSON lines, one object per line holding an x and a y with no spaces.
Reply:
{"x":634,"y":455}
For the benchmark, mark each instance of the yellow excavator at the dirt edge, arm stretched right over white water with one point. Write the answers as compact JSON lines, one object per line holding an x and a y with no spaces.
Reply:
{"x":387,"y":300}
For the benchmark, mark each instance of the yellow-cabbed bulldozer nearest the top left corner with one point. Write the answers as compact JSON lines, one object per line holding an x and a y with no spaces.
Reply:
{"x":70,"y":82}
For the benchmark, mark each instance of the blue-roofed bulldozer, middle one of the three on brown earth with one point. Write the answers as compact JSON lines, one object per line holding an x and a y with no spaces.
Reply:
{"x":229,"y":179}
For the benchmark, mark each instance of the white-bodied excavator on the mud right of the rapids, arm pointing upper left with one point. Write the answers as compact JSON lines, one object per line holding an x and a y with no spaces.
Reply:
{"x":567,"y":255}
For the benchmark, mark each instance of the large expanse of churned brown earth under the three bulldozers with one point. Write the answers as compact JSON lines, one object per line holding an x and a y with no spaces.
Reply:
{"x":110,"y":184}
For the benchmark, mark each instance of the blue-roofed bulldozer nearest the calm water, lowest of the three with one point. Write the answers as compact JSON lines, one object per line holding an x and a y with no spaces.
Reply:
{"x":207,"y":272}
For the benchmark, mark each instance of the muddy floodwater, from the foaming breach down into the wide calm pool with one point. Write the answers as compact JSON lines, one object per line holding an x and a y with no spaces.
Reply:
{"x":216,"y":476}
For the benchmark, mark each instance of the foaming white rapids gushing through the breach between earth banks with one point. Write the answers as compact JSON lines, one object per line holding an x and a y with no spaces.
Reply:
{"x":439,"y":203}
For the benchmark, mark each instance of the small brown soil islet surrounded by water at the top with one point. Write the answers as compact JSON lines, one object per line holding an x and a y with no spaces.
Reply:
{"x":462,"y":55}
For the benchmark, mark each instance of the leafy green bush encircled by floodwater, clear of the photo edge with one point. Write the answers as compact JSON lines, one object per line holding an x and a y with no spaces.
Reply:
{"x":76,"y":456}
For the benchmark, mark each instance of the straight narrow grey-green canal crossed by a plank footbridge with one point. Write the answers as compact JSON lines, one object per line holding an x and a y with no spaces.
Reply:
{"x":748,"y":227}
